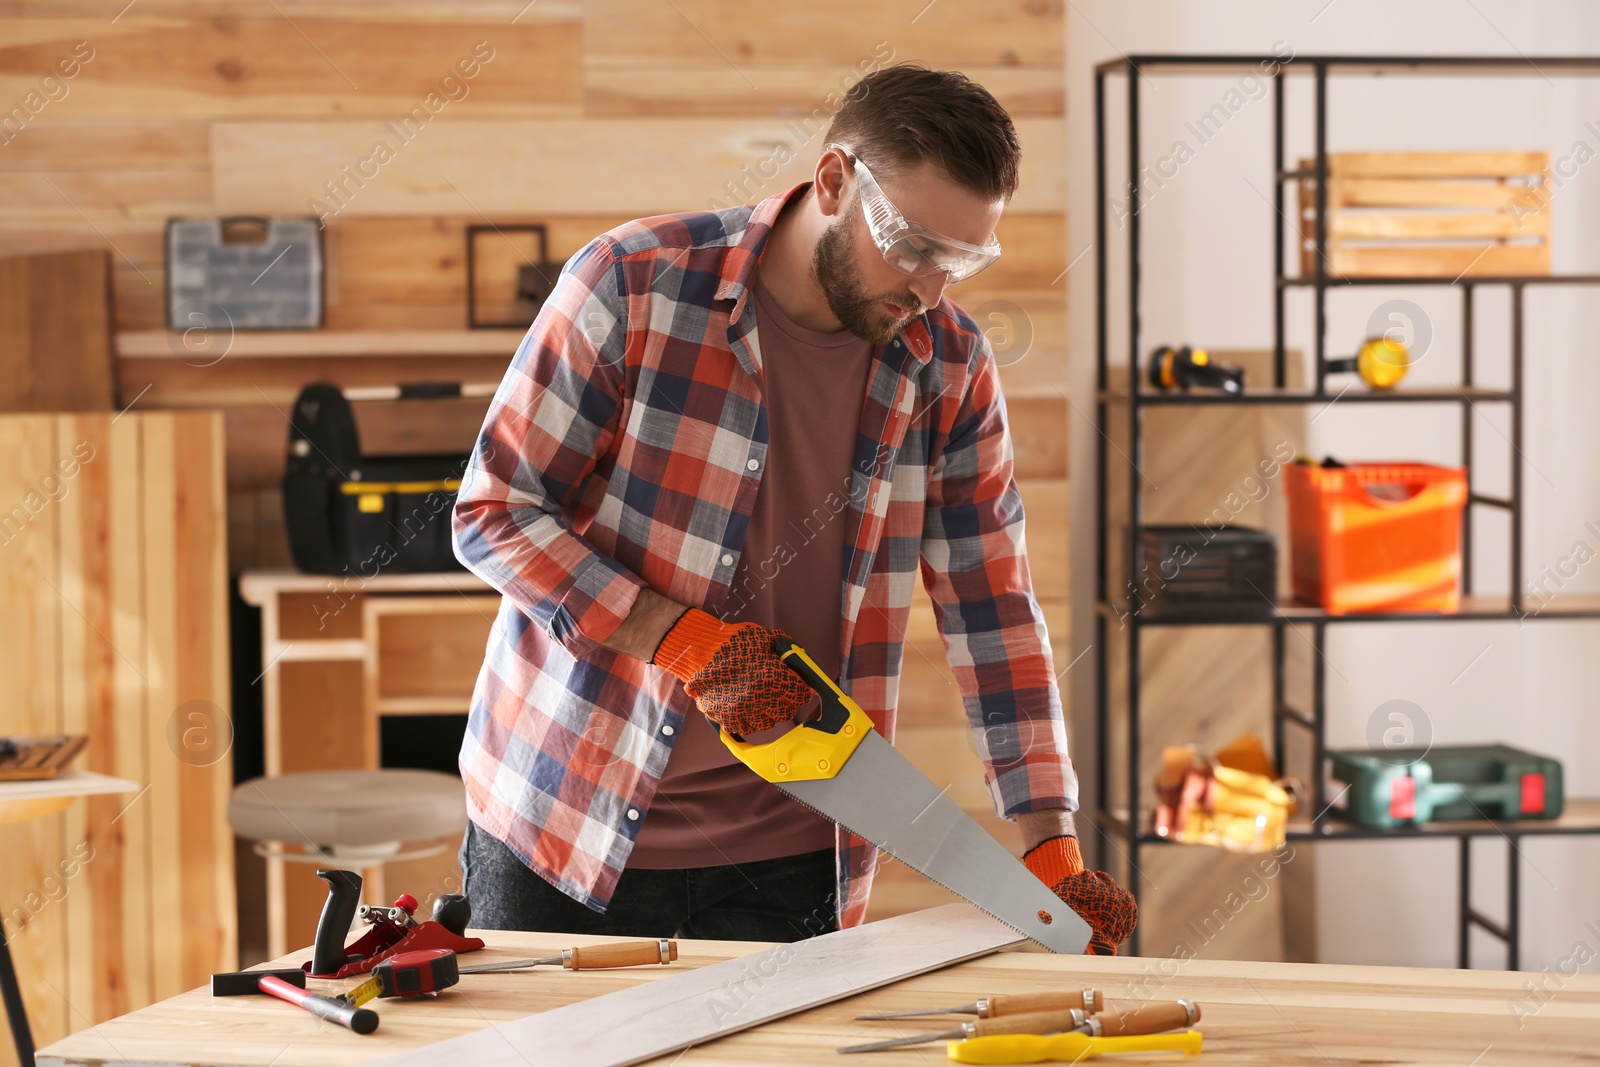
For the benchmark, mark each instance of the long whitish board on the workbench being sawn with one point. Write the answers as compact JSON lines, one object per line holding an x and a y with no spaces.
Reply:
{"x":681,"y":1010}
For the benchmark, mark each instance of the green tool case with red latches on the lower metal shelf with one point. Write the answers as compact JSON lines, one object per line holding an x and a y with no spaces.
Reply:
{"x":1399,"y":788}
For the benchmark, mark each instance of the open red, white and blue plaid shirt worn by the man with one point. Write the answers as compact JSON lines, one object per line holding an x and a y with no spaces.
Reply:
{"x":625,"y":449}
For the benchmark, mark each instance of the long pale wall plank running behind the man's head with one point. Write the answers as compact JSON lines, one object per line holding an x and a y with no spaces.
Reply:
{"x":511,"y":169}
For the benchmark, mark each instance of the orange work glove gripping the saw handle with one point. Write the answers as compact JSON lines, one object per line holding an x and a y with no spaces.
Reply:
{"x":732,"y":673}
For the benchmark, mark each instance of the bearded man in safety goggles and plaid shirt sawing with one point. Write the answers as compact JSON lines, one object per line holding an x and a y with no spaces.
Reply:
{"x":726,"y":426}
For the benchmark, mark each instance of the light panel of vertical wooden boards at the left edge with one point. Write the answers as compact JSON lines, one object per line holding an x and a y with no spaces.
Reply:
{"x":114,"y":580}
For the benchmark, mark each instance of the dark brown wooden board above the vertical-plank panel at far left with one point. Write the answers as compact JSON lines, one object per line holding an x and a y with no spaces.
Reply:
{"x":55,"y":334}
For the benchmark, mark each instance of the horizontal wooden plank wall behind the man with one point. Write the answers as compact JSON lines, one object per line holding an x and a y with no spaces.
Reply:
{"x":585,"y":114}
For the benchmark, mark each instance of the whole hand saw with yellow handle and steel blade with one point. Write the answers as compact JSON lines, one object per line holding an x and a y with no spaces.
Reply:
{"x":846,"y":770}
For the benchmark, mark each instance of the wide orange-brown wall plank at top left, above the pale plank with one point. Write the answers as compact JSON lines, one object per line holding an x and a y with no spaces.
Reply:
{"x":271,"y":66}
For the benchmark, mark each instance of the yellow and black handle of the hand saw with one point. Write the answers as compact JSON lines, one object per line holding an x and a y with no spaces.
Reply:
{"x":817,"y":748}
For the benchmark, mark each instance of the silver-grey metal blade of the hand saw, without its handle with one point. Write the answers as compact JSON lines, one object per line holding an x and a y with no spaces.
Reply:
{"x":882,"y":797}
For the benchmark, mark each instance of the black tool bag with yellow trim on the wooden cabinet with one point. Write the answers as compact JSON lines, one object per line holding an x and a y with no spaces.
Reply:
{"x":367,"y":516}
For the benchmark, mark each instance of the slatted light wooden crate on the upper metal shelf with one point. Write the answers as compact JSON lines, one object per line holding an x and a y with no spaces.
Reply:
{"x":1428,"y":215}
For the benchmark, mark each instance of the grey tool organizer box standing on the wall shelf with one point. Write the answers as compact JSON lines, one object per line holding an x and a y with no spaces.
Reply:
{"x":244,"y":274}
